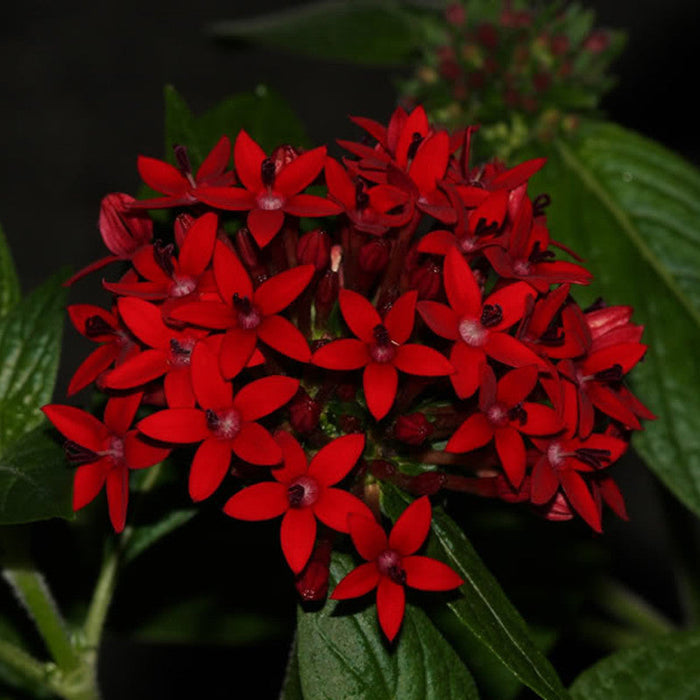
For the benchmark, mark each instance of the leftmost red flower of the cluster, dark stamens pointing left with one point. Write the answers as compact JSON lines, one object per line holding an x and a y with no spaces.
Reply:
{"x":104,"y":452}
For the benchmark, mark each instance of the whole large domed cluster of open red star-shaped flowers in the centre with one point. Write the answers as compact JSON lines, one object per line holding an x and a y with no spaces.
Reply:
{"x":422,"y":333}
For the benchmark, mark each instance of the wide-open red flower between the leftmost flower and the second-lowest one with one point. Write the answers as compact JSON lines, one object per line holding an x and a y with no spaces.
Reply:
{"x":225,"y":422}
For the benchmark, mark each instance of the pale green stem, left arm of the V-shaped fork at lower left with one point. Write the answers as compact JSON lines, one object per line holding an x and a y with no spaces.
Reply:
{"x":31,"y":588}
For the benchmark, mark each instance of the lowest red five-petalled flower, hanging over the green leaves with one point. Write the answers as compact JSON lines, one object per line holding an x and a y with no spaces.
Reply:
{"x":392,"y":564}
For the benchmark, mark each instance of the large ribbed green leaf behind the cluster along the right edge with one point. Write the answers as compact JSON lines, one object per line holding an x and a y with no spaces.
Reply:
{"x":632,"y":209}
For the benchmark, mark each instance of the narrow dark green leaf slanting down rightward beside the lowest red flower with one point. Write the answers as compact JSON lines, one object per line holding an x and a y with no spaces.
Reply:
{"x":483,"y":606}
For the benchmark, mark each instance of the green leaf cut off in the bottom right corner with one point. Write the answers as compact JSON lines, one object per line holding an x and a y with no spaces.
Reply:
{"x":666,"y":667}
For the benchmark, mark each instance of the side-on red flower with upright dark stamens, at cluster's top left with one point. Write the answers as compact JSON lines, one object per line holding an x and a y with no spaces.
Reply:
{"x":180,"y":187}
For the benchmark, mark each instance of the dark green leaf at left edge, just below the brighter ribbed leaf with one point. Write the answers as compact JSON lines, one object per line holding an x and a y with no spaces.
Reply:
{"x":35,"y":482}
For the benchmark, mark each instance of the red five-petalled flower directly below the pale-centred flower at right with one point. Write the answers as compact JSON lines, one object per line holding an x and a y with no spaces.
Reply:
{"x":503,"y":415}
